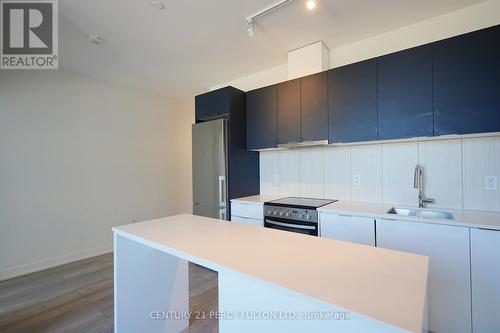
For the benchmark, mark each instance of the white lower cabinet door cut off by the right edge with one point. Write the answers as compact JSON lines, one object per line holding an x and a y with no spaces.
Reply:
{"x":485,"y":261}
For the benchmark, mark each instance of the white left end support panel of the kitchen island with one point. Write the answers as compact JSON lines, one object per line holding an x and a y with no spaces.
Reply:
{"x":150,"y":287}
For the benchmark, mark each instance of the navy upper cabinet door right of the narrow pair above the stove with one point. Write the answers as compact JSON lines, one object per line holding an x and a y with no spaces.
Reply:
{"x":352,"y":102}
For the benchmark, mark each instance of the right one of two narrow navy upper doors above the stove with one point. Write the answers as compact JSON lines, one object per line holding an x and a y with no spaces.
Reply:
{"x":314,"y":107}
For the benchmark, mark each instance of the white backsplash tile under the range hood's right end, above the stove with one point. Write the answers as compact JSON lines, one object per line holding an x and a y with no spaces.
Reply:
{"x":311,"y":173}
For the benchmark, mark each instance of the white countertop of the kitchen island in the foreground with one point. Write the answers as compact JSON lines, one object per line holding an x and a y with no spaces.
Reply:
{"x":386,"y":285}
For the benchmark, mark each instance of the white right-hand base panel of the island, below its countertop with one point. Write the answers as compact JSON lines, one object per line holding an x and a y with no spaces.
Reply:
{"x":248,"y":305}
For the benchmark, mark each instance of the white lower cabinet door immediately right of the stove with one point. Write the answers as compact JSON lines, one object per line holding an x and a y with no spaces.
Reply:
{"x":348,"y":228}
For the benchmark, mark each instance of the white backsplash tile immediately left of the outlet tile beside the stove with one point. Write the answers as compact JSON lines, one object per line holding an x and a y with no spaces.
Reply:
{"x":337,"y":173}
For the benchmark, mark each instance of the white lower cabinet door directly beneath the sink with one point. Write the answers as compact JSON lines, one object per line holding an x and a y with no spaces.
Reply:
{"x":449,"y":286}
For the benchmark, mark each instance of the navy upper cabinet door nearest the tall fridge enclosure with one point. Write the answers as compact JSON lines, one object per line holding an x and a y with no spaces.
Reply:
{"x":261,"y":118}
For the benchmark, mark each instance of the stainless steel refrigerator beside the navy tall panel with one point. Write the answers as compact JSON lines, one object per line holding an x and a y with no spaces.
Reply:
{"x":210,"y":172}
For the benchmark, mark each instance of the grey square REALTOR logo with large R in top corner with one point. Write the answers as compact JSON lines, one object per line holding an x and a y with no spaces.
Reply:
{"x":29,"y":34}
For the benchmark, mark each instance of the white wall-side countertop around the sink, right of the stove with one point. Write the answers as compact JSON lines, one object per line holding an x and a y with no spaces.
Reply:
{"x":464,"y":218}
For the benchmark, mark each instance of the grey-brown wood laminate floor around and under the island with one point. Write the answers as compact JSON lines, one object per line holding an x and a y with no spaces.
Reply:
{"x":78,"y":297}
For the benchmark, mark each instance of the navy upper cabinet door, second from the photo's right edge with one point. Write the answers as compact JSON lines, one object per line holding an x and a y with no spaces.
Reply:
{"x":405,"y":106}
